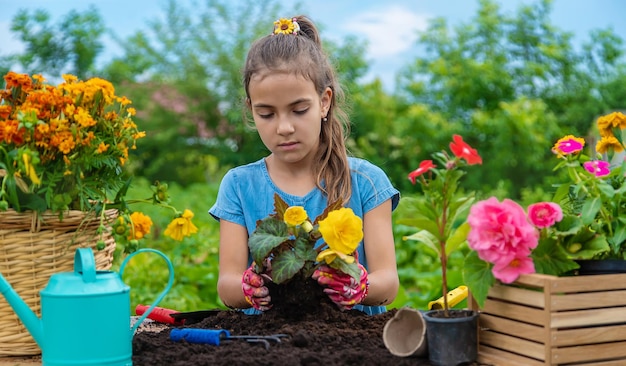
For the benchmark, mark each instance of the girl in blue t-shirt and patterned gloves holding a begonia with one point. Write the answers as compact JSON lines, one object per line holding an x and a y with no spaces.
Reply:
{"x":294,"y":98}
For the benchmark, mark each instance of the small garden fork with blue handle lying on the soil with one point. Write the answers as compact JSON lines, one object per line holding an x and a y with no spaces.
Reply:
{"x":216,"y":336}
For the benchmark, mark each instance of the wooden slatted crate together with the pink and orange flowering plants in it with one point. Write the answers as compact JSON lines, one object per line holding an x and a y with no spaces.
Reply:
{"x":524,"y":268}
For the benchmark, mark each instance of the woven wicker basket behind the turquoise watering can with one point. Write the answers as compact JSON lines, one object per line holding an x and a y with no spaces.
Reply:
{"x":32,"y":248}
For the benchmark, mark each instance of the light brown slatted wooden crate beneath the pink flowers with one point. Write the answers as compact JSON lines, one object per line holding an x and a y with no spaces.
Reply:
{"x":549,"y":320}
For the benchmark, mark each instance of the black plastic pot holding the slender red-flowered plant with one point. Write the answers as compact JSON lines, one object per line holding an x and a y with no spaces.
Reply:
{"x":452,"y":341}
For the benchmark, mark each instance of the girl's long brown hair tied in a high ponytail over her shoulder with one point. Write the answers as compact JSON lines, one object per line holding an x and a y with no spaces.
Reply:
{"x":302,"y":54}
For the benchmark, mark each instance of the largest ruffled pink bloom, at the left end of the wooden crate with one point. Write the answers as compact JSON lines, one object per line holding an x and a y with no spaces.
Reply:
{"x":500,"y":231}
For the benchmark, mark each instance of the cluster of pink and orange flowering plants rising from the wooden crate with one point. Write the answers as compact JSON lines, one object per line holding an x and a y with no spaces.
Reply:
{"x":585,"y":222}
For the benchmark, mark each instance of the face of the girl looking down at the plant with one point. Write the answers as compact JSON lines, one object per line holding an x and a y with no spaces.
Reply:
{"x":287,"y":112}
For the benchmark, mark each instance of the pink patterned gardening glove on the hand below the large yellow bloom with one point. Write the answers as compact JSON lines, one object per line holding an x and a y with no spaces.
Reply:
{"x":341,"y":288}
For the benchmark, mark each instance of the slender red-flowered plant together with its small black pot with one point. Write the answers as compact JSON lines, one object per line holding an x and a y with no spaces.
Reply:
{"x":440,"y":217}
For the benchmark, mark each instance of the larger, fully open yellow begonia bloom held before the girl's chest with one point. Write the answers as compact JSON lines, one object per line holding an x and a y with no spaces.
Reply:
{"x":342,"y":230}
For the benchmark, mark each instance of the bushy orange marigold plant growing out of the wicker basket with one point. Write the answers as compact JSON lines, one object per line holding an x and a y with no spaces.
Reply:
{"x":65,"y":148}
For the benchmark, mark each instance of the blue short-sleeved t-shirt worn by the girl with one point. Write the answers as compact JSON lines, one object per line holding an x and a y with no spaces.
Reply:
{"x":246,"y":195}
